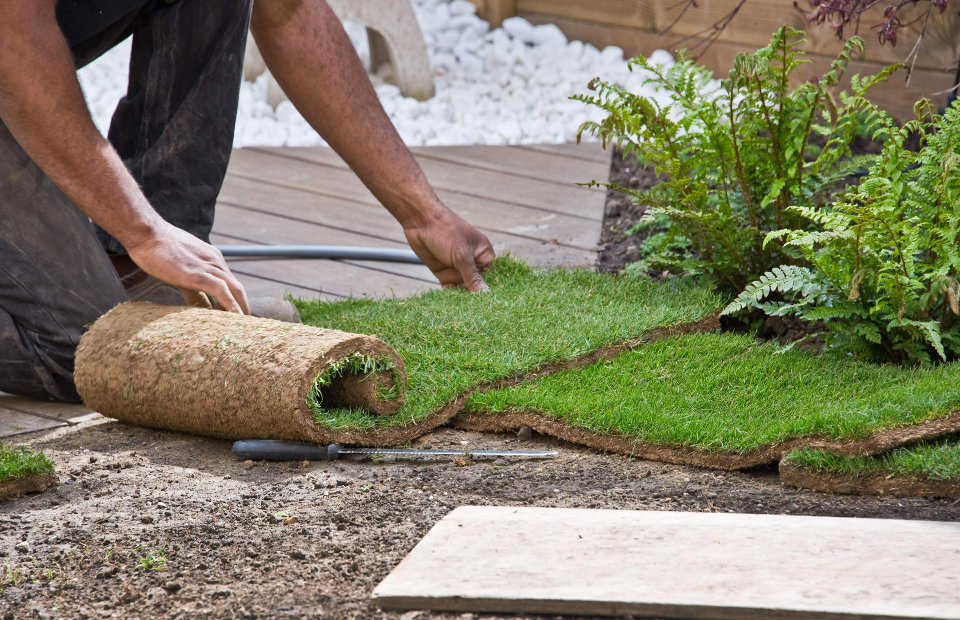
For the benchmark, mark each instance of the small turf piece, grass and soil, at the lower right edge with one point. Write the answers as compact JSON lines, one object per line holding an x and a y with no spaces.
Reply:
{"x":931,"y":469}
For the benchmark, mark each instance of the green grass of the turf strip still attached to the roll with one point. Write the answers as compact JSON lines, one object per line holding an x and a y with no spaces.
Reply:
{"x":451,"y":340}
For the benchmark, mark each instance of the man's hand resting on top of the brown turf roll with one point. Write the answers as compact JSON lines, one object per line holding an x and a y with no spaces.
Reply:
{"x":181,"y":260}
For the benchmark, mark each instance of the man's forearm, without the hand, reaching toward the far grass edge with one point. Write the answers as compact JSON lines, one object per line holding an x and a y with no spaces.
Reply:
{"x":310,"y":55}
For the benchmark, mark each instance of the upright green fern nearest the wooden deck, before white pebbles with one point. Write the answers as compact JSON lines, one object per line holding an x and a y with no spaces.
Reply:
{"x":734,"y":156}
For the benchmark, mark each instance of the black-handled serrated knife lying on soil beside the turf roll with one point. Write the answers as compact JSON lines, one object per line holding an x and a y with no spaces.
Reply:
{"x":280,"y":450}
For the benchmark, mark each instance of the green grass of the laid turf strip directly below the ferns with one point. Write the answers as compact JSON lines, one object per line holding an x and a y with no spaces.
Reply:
{"x":727,"y":392}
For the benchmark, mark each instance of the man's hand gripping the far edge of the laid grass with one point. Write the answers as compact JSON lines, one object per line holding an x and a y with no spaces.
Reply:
{"x":455,"y":251}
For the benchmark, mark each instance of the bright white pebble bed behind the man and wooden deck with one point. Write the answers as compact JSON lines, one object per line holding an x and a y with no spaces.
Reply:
{"x":510,"y":85}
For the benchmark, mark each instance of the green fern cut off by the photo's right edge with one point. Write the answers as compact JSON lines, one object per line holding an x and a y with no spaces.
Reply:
{"x":885,"y":262}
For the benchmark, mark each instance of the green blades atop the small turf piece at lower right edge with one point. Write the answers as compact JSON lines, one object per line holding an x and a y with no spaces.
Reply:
{"x":933,"y":461}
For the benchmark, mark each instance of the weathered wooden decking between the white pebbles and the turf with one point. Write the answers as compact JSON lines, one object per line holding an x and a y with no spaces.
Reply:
{"x":524,"y":198}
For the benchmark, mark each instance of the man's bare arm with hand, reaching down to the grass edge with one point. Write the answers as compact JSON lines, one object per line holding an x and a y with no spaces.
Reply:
{"x":310,"y":55}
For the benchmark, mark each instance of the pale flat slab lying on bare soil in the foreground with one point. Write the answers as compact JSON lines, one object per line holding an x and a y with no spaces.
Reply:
{"x":678,"y":565}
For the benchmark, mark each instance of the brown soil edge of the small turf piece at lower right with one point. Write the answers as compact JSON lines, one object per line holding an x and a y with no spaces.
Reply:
{"x":870,"y":484}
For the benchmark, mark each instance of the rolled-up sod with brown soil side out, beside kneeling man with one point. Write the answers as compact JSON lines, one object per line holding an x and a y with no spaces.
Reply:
{"x":231,"y":376}
